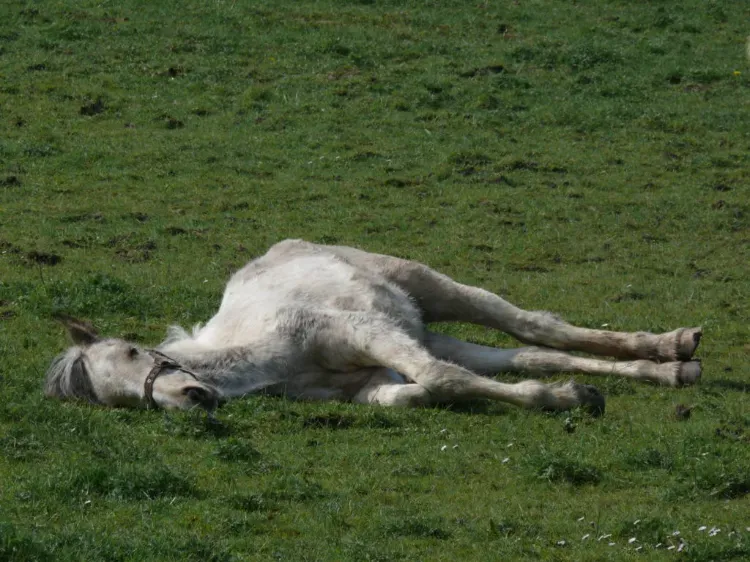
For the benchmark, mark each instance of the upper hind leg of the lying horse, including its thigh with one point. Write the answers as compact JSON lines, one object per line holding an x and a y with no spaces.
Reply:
{"x":444,"y":300}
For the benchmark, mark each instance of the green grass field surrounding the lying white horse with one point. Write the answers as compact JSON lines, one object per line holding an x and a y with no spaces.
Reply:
{"x":591,"y":158}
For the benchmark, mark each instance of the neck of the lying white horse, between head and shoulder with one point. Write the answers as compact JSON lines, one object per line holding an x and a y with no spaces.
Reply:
{"x":234,"y":371}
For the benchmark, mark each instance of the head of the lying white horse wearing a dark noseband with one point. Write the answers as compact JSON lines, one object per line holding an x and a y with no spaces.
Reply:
{"x":117,"y":373}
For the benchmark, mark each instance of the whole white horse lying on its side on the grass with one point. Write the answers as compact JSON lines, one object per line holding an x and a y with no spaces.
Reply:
{"x":334,"y":323}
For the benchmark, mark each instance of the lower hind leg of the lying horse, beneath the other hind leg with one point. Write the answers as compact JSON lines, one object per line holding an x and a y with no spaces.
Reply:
{"x":544,"y":361}
